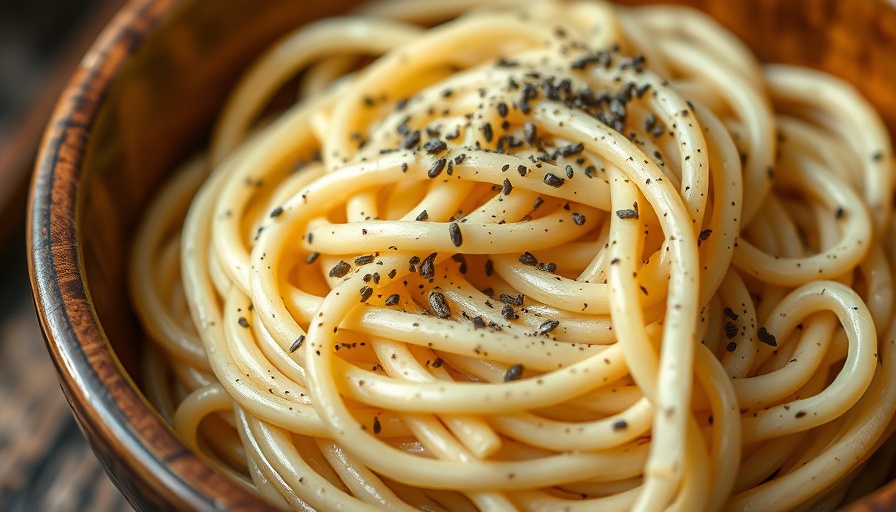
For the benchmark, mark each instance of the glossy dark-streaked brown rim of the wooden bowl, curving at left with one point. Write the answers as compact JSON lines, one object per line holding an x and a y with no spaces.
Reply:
{"x":129,"y":438}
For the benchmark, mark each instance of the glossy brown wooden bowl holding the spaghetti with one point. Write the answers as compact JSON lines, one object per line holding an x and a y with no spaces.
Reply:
{"x":145,"y":96}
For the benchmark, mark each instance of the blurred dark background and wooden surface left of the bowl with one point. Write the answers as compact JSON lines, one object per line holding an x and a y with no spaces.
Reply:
{"x":45,"y":463}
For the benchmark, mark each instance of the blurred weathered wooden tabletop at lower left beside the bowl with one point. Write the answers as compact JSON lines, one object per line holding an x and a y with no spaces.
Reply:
{"x":45,"y":462}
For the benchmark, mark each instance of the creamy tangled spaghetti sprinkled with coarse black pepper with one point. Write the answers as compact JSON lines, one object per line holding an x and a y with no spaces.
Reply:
{"x":554,"y":256}
